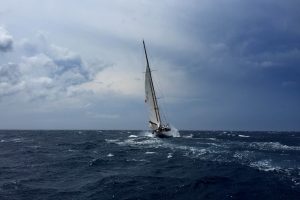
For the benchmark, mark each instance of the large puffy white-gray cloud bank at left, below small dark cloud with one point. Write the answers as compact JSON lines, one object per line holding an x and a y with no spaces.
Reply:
{"x":47,"y":71}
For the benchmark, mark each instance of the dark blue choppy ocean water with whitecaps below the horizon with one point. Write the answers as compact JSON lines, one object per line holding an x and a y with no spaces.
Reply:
{"x":134,"y":165}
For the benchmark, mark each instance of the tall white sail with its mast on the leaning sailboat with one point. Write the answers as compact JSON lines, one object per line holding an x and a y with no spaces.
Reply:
{"x":151,"y":100}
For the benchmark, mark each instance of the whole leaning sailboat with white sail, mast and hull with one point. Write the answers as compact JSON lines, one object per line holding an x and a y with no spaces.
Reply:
{"x":159,"y":128}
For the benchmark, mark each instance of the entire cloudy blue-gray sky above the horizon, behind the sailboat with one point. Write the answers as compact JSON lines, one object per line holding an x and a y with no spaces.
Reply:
{"x":217,"y":65}
